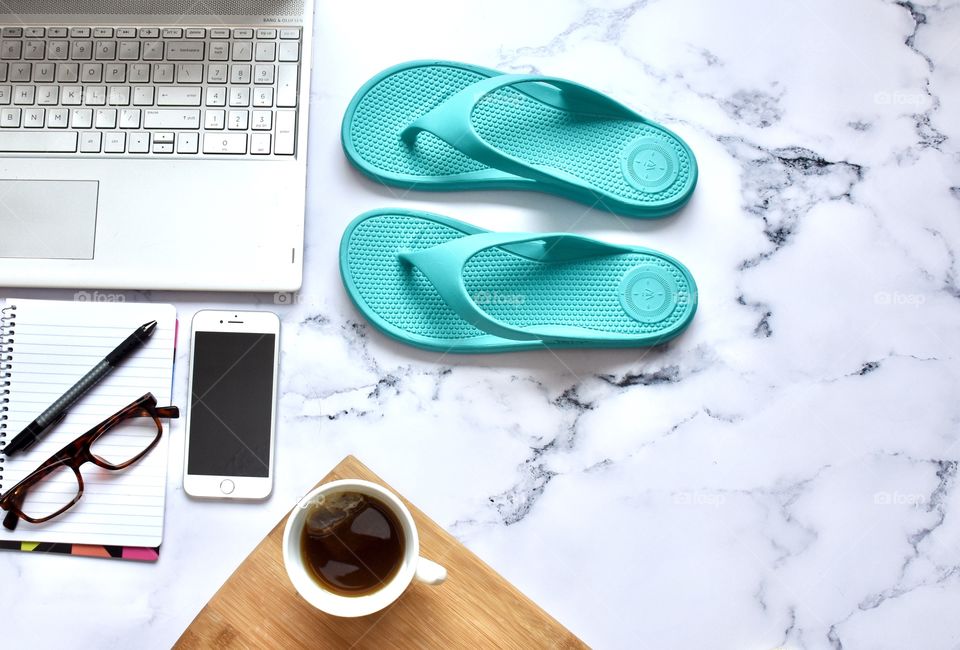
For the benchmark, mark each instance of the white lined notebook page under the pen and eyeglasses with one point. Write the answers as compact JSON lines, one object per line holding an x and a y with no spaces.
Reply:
{"x":54,"y":344}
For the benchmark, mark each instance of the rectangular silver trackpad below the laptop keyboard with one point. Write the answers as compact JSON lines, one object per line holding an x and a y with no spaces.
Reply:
{"x":48,"y":219}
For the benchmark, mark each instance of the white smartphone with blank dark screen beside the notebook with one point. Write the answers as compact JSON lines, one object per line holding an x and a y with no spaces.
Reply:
{"x":233,"y":402}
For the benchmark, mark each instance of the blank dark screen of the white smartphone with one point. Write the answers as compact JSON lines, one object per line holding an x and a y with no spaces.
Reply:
{"x":231,"y":404}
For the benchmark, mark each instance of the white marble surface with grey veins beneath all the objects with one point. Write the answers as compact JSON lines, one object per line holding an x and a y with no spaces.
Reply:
{"x":784,"y":474}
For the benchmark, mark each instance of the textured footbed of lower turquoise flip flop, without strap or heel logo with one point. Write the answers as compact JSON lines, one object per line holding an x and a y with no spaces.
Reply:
{"x":510,"y":288}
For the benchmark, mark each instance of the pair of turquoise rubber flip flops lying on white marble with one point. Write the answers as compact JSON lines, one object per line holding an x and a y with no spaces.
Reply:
{"x":446,"y":285}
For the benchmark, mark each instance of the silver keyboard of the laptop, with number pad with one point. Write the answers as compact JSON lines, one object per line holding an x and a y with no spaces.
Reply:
{"x":153,"y":91}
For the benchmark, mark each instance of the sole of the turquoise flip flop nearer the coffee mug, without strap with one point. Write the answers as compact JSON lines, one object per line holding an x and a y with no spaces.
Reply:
{"x":646,"y":297}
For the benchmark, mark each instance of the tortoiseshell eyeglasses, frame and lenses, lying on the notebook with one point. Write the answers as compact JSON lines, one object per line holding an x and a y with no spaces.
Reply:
{"x":116,"y":443}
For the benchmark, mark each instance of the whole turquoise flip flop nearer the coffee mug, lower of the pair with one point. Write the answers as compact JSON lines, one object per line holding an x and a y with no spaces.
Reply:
{"x":445,"y":285}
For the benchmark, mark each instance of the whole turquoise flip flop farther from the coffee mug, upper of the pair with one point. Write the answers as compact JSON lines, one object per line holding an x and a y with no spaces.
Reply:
{"x":442,"y":125}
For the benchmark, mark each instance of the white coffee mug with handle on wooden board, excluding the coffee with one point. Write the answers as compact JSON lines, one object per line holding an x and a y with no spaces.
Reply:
{"x":412,"y":567}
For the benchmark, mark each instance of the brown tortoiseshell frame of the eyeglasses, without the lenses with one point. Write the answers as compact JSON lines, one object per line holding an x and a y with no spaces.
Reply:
{"x":77,"y":453}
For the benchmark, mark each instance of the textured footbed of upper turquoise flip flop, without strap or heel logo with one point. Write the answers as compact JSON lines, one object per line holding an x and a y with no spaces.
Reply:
{"x":589,"y":148}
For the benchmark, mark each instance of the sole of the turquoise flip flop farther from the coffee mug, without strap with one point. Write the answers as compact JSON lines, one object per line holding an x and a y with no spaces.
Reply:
{"x":632,"y":167}
